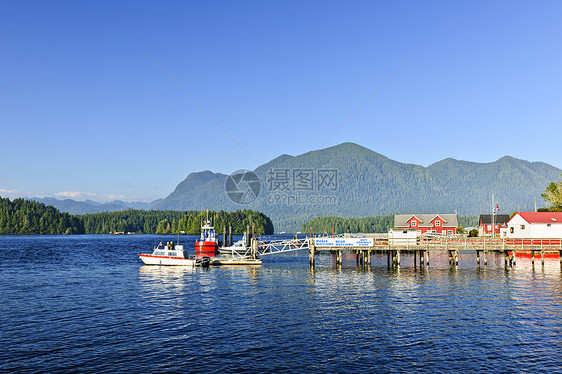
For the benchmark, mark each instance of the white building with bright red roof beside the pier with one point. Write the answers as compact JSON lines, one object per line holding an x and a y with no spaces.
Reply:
{"x":547,"y":225}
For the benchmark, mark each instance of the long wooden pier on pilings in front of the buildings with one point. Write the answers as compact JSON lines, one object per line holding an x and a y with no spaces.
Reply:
{"x":423,"y":248}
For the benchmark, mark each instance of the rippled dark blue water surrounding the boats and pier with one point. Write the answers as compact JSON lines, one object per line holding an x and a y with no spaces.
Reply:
{"x":86,"y":304}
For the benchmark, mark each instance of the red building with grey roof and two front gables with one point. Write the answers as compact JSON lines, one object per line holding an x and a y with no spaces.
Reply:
{"x":442,"y":224}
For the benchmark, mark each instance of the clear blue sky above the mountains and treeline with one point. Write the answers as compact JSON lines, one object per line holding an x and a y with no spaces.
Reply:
{"x":86,"y":112}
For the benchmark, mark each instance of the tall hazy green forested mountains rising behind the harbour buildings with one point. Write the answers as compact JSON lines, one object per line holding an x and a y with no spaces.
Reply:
{"x":369,"y":184}
